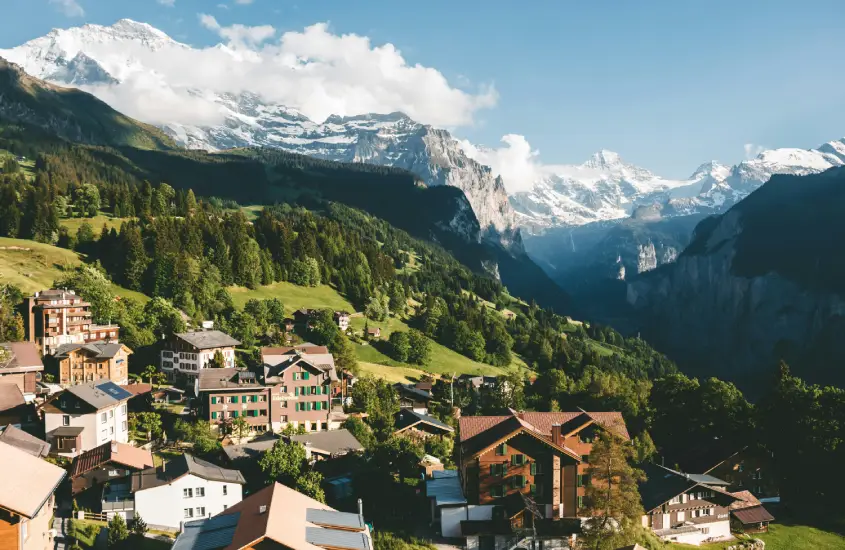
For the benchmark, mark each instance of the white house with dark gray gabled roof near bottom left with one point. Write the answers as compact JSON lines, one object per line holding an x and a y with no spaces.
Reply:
{"x":183,"y":489}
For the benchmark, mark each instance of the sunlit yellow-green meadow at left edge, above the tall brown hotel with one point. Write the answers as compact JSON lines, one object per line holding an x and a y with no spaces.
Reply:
{"x":34,"y":266}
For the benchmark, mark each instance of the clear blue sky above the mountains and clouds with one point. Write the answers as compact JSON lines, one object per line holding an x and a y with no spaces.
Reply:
{"x":667,"y":84}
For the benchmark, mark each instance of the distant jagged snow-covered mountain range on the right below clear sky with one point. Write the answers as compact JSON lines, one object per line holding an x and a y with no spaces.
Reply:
{"x":607,"y":188}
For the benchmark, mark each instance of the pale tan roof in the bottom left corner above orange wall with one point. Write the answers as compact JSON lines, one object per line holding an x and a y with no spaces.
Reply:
{"x":26,"y":481}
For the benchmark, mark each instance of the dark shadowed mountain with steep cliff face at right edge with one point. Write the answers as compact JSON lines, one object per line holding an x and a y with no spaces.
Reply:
{"x":718,"y":315}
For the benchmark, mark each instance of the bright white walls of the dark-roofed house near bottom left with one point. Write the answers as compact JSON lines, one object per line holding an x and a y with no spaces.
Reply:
{"x":165,"y":505}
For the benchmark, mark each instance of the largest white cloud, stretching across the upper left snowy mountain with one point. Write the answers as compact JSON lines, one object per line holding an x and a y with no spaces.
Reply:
{"x":314,"y":71}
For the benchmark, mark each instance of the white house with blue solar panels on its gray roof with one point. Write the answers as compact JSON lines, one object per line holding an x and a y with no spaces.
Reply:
{"x":85,"y":416}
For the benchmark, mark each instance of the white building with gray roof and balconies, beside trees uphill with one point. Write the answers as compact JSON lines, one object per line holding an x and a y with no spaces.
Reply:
{"x":187,"y":353}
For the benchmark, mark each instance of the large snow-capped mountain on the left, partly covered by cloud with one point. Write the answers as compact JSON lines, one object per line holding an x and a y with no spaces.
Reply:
{"x":102,"y":59}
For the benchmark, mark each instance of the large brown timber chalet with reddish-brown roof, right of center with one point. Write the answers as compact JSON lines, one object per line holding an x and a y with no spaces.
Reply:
{"x":542,"y":456}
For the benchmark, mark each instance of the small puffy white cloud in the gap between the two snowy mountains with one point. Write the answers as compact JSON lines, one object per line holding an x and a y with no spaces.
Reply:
{"x":516,"y":162}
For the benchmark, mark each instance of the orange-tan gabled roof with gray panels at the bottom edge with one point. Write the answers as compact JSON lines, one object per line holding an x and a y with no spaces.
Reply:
{"x":280,"y":515}
